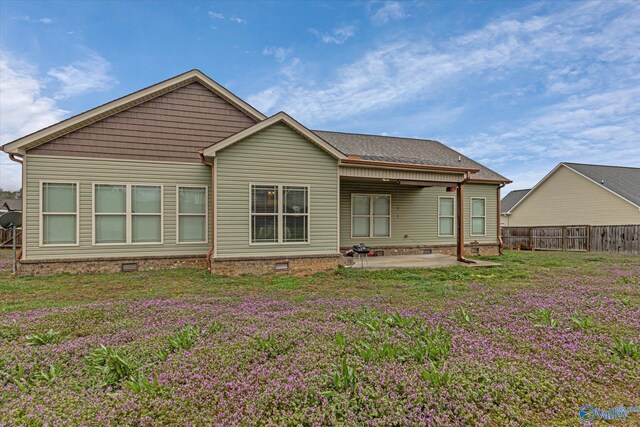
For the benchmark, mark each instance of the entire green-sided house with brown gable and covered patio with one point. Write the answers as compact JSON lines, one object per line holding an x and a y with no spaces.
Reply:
{"x":186,"y":173}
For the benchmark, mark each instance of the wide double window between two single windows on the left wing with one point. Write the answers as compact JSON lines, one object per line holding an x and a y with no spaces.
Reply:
{"x":127,"y":214}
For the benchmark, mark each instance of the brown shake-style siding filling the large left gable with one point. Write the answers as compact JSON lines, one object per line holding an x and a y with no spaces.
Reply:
{"x":171,"y":127}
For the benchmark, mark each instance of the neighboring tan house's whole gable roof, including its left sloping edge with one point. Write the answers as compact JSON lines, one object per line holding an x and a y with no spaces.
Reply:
{"x":622,"y":181}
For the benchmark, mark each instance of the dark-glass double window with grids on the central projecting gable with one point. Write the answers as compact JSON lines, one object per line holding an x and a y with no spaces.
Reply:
{"x":279,"y":214}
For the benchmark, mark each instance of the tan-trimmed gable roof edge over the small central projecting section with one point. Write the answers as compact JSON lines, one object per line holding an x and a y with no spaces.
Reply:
{"x":280,"y":117}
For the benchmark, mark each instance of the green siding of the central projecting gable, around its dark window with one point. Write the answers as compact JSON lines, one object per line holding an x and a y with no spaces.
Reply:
{"x":276,"y":155}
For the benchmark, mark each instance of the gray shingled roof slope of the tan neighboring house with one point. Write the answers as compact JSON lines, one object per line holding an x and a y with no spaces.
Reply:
{"x":624,"y":181}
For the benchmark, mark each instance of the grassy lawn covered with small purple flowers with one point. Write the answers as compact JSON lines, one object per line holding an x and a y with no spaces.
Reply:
{"x":527,"y":343}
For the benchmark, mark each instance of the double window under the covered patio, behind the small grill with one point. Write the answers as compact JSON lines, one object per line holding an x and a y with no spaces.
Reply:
{"x":371,"y":215}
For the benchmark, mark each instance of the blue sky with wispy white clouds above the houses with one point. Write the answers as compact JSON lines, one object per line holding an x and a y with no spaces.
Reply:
{"x":518,"y":86}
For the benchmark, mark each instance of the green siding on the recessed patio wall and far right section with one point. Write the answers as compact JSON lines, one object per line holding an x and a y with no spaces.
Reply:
{"x":414,"y":212}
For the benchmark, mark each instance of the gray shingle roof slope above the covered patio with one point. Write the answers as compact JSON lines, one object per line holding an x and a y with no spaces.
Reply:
{"x":404,"y":150}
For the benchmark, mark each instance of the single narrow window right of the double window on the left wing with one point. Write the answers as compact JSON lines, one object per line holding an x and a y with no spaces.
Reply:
{"x":192,"y":215}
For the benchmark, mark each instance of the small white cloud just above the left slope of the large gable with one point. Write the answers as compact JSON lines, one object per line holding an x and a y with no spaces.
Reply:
{"x":88,"y":75}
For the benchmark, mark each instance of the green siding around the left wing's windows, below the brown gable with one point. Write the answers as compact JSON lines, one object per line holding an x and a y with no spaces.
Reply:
{"x":88,"y":171}
